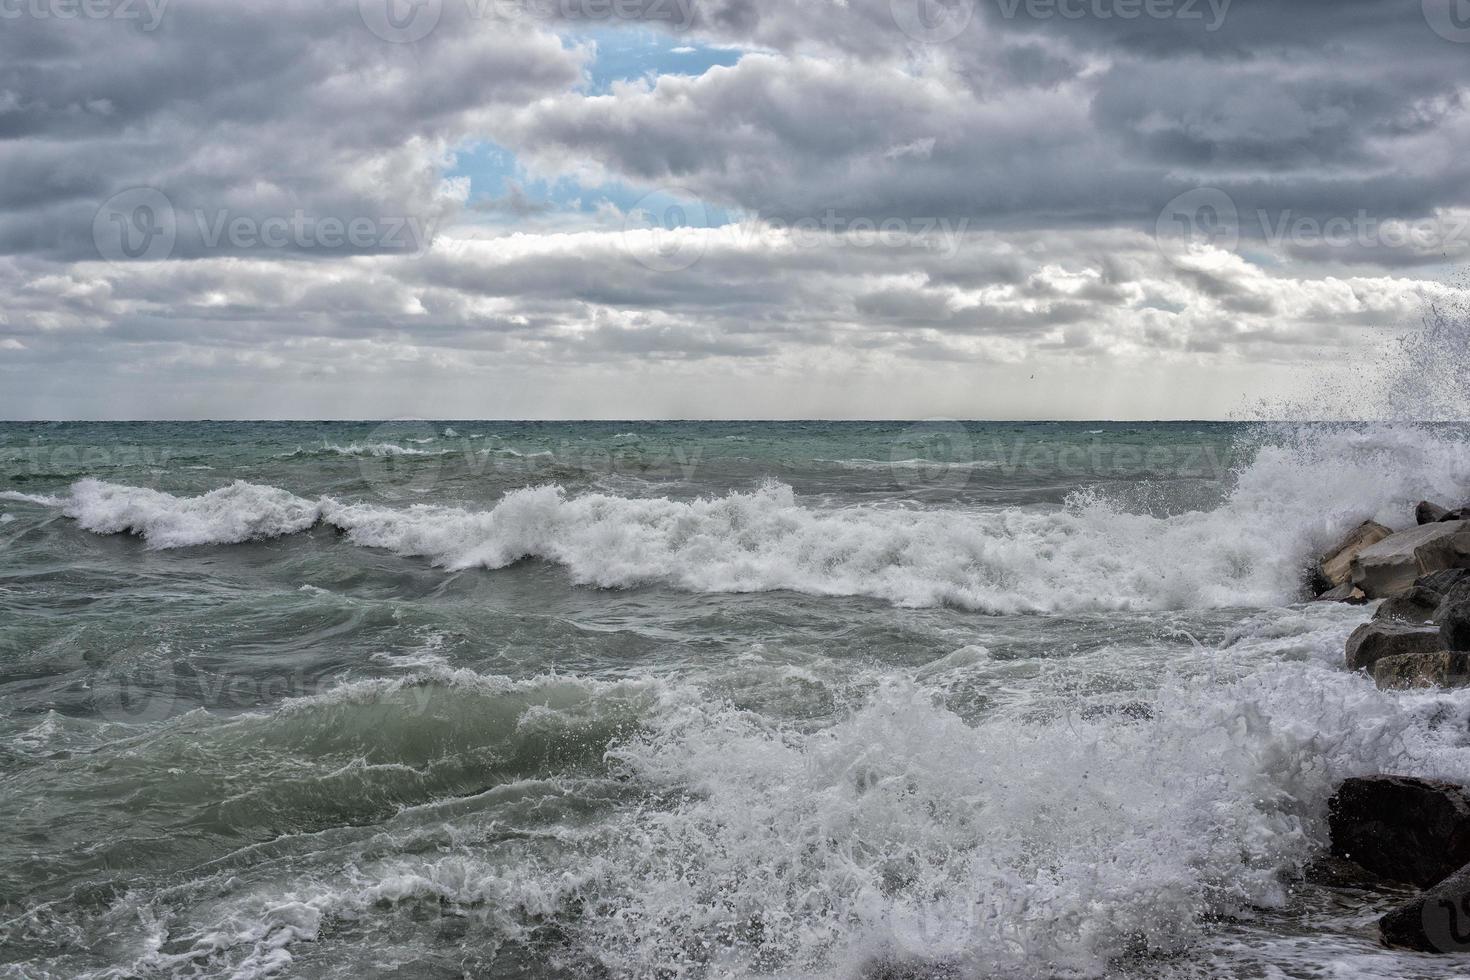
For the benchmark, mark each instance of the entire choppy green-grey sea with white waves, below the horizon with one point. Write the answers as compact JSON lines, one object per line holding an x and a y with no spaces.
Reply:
{"x":699,"y":700}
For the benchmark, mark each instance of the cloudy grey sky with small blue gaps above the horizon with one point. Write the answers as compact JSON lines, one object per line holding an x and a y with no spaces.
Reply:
{"x":752,"y":209}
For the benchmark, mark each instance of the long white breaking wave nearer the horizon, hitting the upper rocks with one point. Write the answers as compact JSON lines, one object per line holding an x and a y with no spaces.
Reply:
{"x":1300,"y":490}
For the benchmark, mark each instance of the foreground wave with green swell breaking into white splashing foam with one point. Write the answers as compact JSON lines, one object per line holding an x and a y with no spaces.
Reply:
{"x":1021,"y":844}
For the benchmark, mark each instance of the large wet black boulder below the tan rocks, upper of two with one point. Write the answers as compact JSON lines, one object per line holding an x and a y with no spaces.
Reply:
{"x":1400,"y":828}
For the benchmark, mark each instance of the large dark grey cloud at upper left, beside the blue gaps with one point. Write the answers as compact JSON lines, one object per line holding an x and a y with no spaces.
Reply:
{"x":265,"y":127}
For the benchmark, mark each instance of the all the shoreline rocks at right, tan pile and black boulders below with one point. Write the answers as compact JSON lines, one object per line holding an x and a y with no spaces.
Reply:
{"x":1399,"y":828}
